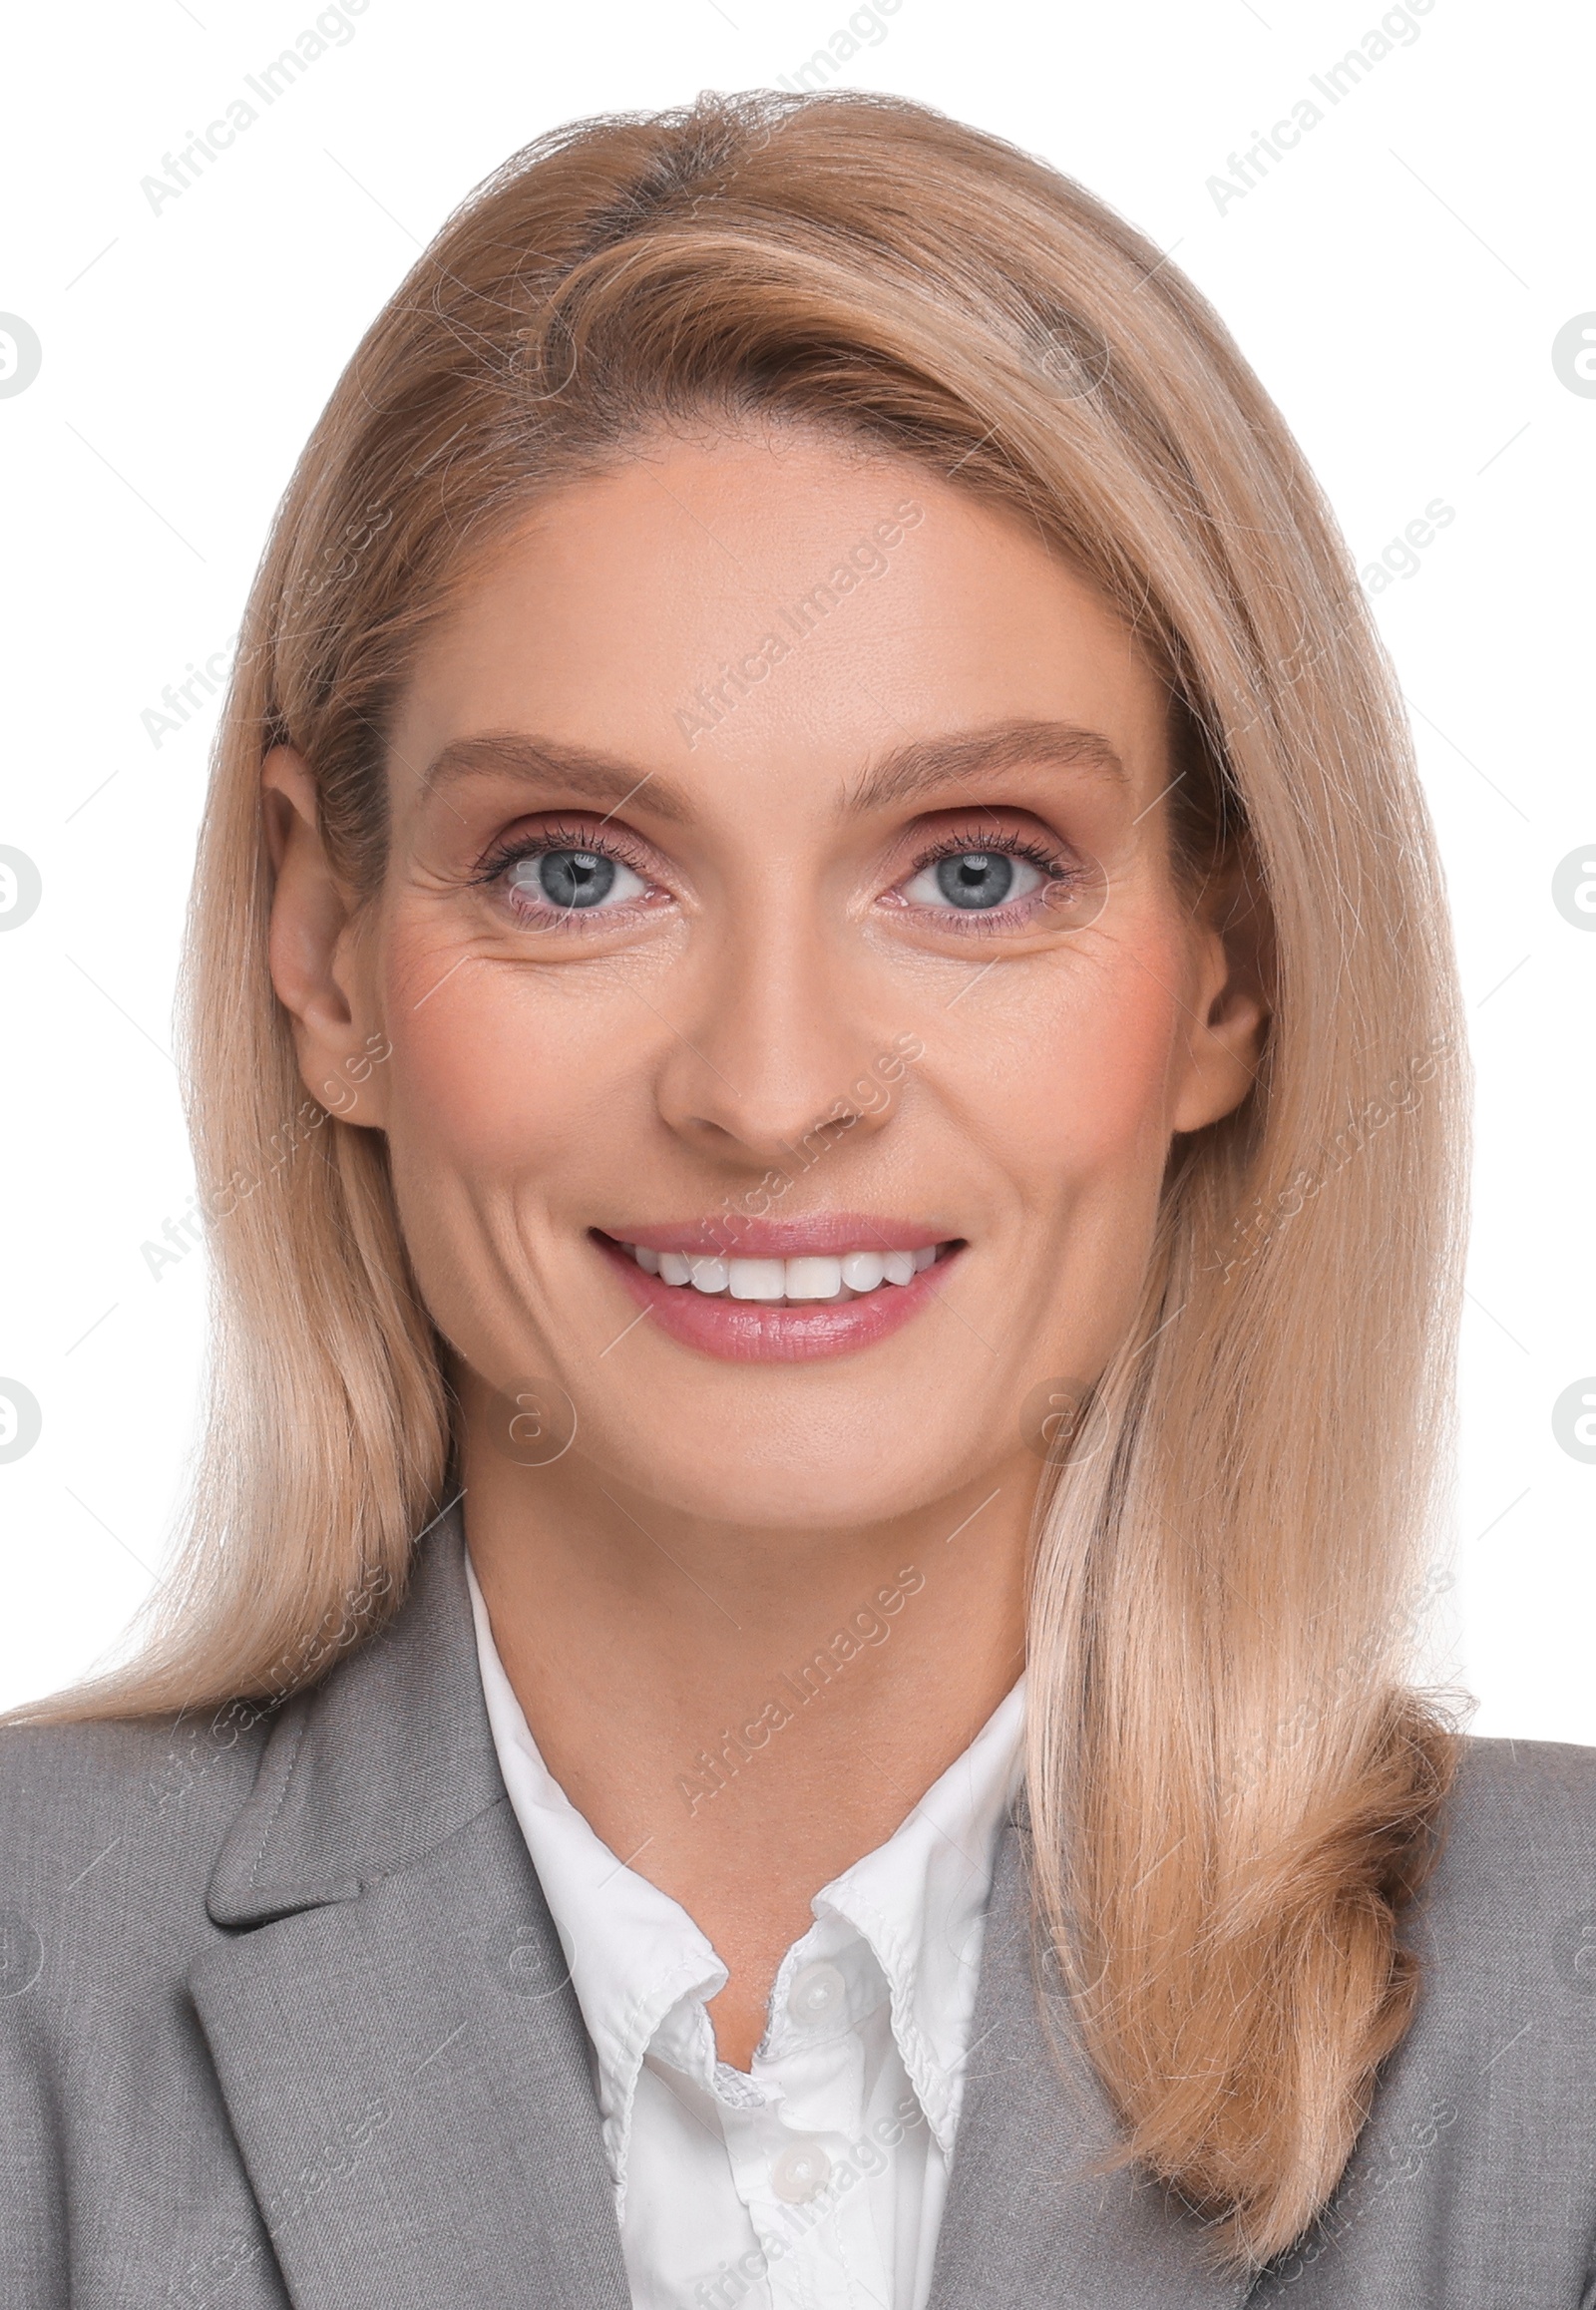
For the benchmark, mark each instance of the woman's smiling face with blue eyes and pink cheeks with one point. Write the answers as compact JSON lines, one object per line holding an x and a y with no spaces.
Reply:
{"x":780,"y":897}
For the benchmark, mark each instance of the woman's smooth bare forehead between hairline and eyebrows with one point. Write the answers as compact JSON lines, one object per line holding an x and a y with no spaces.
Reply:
{"x":773,"y":609}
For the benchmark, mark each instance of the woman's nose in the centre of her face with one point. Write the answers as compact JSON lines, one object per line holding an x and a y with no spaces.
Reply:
{"x":773,"y":1052}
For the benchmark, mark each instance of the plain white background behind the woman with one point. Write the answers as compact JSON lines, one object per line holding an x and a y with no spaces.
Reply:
{"x":1399,"y":285}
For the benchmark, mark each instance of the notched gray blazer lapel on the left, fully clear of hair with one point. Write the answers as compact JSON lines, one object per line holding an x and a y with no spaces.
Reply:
{"x":394,"y":2025}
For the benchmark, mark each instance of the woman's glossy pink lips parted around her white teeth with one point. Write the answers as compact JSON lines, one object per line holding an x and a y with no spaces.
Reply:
{"x":756,"y":1332}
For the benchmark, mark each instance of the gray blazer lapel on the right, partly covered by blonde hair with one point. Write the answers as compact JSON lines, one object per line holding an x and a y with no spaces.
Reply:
{"x":1031,"y":2214}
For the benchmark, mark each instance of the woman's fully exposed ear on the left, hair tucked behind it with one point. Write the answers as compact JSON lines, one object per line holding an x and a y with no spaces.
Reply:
{"x":318,"y":955}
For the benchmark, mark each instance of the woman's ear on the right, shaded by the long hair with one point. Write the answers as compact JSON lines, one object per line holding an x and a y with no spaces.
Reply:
{"x":1235,"y":969}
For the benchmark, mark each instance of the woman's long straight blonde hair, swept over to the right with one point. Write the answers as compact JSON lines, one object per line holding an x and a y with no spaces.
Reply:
{"x":1232,"y":1794}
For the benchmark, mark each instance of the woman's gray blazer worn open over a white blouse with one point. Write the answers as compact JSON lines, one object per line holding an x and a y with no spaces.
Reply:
{"x":283,"y":2020}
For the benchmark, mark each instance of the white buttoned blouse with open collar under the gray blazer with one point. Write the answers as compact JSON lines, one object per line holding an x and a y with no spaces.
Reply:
{"x":816,"y":2177}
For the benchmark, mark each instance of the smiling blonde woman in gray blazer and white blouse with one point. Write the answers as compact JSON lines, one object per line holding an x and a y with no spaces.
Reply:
{"x":826,"y":1066}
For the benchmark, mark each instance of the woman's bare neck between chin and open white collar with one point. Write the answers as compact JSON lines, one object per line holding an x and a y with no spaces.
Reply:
{"x":745,"y":1713}
